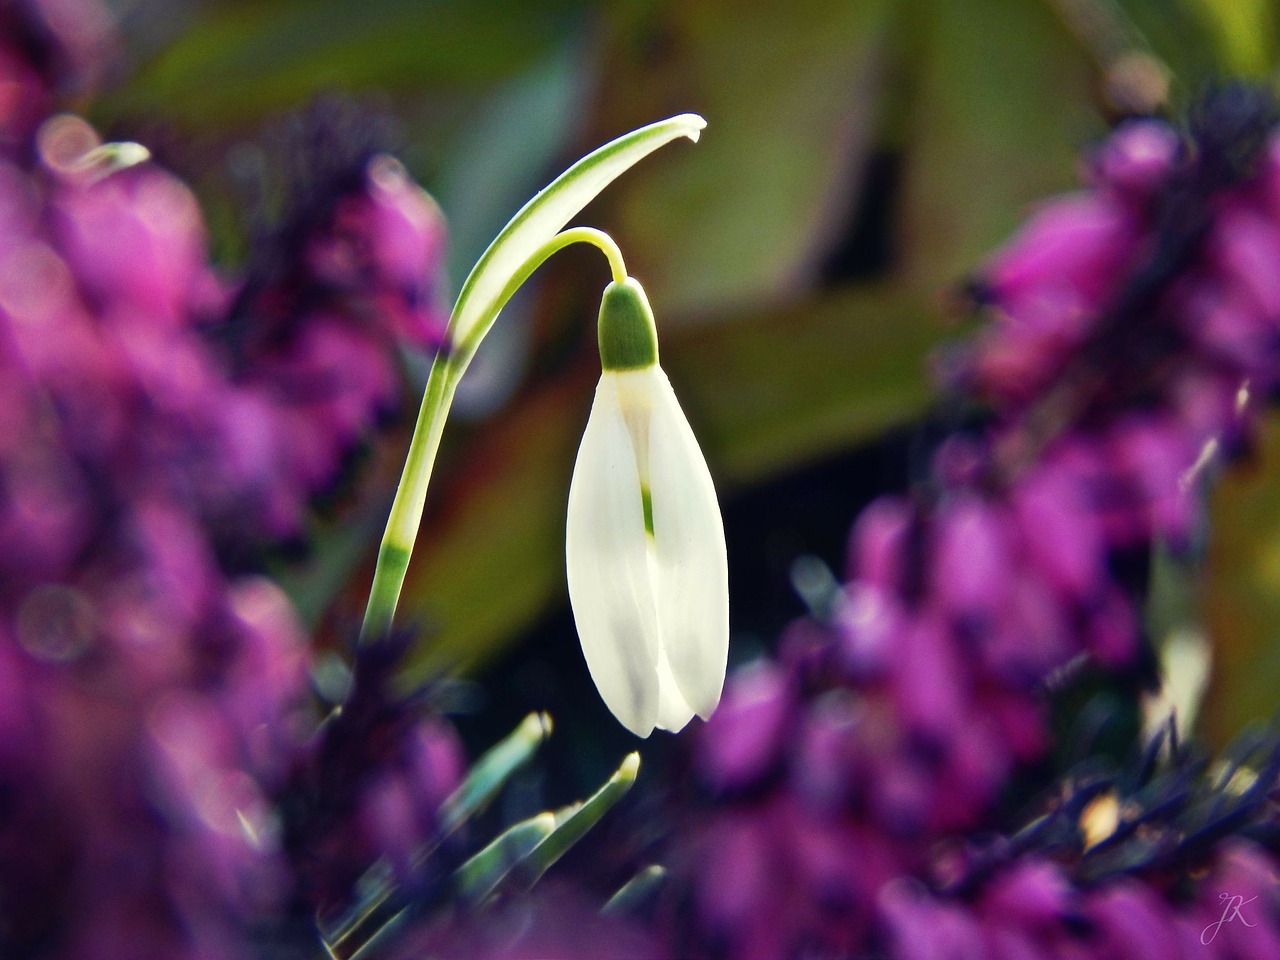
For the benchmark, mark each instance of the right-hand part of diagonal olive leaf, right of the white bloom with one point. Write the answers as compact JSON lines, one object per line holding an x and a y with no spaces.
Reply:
{"x":779,"y":388}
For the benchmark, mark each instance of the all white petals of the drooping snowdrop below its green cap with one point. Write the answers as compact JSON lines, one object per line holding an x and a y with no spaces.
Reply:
{"x":652,"y":609}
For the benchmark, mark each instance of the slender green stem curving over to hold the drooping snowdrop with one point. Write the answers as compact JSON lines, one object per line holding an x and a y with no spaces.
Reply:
{"x":447,"y":371}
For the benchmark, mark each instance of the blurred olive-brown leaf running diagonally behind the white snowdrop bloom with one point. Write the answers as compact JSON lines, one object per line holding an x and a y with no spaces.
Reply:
{"x":765,"y":394}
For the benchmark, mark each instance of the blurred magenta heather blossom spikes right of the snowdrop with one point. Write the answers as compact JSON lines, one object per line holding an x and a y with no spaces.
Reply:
{"x":1132,"y":344}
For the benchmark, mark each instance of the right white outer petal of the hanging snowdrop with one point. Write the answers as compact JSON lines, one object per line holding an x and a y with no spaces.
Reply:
{"x":691,"y":561}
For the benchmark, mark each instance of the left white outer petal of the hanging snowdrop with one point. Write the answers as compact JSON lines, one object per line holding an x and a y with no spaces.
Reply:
{"x":606,"y":556}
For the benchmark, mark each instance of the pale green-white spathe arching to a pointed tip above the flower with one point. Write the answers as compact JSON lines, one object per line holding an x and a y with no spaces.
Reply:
{"x":543,"y":217}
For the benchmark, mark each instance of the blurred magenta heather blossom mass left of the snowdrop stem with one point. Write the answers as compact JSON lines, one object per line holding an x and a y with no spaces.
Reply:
{"x":157,"y":422}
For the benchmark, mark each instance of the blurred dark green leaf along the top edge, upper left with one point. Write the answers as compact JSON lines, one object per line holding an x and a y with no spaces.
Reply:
{"x":244,"y":60}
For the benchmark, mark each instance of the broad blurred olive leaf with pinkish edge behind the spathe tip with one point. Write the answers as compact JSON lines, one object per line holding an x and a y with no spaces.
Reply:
{"x":789,"y":90}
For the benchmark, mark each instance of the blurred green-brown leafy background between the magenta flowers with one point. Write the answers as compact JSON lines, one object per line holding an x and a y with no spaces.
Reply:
{"x":806,"y":262}
